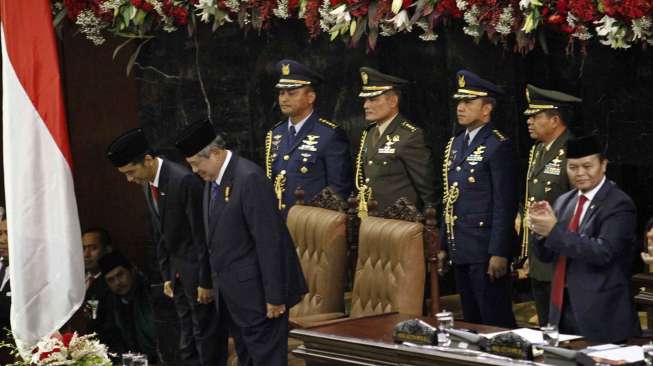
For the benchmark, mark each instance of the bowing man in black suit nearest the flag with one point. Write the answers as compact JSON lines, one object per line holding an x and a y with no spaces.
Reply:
{"x":174,"y":195}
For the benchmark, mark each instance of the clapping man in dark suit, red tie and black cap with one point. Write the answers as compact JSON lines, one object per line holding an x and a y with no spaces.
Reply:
{"x":589,"y":235}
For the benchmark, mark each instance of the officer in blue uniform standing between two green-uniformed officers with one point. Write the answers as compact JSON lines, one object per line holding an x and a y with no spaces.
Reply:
{"x":480,"y":203}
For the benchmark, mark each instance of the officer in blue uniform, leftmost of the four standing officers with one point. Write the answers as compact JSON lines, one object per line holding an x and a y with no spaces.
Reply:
{"x":305,"y":150}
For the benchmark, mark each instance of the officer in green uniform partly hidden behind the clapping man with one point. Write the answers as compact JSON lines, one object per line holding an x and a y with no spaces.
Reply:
{"x":549,"y":113}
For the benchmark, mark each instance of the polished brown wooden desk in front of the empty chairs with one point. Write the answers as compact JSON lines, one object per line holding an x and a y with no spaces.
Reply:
{"x":368,"y":341}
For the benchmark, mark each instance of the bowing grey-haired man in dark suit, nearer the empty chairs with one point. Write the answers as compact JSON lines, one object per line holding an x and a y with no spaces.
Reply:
{"x":255,"y":269}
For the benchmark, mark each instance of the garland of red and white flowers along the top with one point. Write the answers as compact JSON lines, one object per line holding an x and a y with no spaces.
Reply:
{"x":619,"y":24}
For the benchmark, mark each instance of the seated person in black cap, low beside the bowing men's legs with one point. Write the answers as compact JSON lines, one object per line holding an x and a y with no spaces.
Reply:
{"x":130,"y":307}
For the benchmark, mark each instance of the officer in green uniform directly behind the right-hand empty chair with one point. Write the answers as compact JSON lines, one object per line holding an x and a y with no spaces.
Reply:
{"x":393,"y":161}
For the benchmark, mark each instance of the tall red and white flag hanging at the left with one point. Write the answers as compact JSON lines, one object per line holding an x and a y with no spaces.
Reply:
{"x":45,"y":251}
